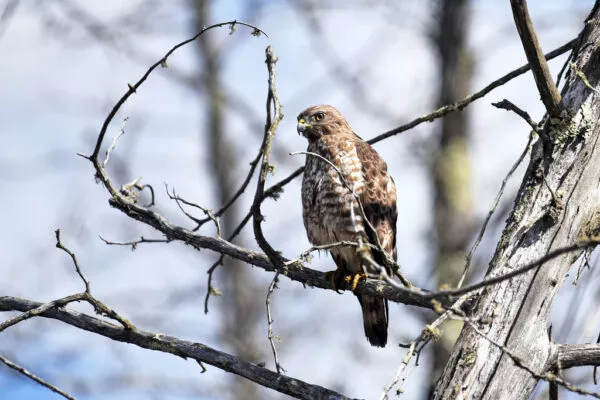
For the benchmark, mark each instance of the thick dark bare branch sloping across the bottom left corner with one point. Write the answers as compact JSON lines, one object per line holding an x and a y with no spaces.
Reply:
{"x":178,"y":347}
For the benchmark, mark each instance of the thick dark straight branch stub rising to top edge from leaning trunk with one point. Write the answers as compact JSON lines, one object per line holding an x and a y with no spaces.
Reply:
{"x":539,"y":66}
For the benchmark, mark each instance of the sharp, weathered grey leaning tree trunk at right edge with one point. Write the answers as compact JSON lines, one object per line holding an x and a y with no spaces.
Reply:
{"x":557,"y":205}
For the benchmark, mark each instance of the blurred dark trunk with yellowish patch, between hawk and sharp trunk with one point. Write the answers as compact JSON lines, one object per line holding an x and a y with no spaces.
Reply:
{"x":451,"y":166}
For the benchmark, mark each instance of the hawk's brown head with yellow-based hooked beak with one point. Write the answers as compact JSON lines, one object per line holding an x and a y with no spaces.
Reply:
{"x":317,"y":121}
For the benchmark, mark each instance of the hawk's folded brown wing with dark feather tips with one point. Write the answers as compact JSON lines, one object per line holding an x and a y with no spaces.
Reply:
{"x":378,"y":200}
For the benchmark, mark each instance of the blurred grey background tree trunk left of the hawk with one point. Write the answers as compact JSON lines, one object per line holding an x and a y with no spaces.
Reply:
{"x":241,"y":308}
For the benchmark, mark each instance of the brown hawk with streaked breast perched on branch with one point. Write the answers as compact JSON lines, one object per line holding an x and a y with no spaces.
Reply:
{"x":331,"y":213}
